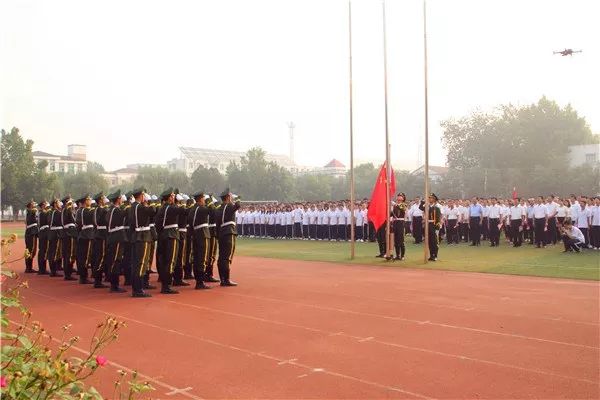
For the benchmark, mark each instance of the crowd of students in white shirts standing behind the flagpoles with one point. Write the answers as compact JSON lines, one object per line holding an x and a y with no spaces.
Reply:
{"x":539,"y":221}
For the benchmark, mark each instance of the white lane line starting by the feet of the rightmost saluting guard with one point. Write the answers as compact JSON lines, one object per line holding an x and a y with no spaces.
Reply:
{"x":394,"y":318}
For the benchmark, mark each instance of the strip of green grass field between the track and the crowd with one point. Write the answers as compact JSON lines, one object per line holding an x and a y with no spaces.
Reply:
{"x":526,"y":260}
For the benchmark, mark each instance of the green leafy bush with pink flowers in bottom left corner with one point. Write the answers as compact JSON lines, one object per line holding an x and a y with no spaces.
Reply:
{"x":32,"y":367}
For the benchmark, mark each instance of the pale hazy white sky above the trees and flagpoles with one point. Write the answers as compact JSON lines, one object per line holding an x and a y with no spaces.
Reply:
{"x":133,"y":80}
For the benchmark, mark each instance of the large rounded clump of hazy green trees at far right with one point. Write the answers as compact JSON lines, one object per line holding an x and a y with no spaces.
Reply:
{"x":524,"y":147}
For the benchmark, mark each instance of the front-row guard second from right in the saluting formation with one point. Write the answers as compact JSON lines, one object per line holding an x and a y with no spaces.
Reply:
{"x":198,"y":224}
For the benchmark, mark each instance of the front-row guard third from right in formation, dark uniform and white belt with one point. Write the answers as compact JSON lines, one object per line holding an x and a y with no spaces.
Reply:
{"x":168,"y":234}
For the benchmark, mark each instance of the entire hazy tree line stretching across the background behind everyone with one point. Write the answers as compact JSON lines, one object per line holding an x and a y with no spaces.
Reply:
{"x":487,"y":154}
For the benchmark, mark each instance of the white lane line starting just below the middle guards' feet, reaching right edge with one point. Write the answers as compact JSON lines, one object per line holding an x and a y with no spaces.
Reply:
{"x":380,"y":342}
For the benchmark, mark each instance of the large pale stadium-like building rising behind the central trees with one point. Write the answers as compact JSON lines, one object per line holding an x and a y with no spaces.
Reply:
{"x":192,"y":158}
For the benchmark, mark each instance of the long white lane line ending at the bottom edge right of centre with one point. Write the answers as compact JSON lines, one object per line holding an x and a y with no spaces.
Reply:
{"x":237,"y":349}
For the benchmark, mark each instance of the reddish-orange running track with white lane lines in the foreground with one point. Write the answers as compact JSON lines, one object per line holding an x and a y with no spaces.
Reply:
{"x":315,"y":330}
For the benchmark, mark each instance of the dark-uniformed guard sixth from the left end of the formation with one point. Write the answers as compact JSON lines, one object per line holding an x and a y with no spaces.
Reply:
{"x":99,"y":244}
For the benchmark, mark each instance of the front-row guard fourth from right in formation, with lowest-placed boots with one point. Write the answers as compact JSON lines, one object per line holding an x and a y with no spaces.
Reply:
{"x":139,"y":226}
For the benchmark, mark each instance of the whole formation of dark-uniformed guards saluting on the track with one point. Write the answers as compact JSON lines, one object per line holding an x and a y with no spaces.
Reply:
{"x":103,"y":238}
